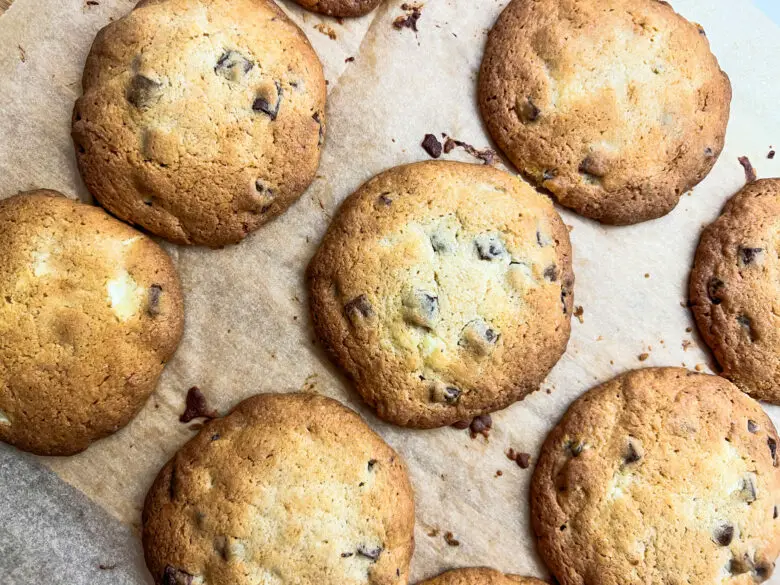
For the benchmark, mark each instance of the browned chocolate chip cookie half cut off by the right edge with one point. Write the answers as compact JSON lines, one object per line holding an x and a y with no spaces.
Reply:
{"x":734,"y":290}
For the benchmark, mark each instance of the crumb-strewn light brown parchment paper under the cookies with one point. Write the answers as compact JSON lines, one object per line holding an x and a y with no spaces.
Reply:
{"x":247,"y":323}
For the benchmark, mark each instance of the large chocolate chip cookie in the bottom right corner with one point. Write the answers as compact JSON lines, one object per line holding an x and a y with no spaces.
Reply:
{"x":660,"y":475}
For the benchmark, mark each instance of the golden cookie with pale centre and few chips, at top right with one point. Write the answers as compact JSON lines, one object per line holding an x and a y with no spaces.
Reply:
{"x":616,"y":107}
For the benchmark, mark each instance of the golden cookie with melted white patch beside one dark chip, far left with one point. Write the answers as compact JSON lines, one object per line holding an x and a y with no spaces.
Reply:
{"x":90,"y":311}
